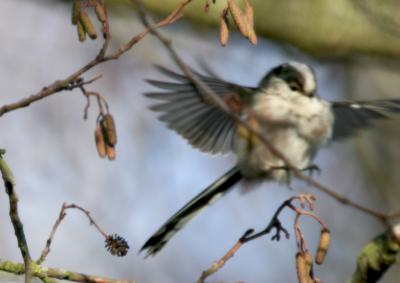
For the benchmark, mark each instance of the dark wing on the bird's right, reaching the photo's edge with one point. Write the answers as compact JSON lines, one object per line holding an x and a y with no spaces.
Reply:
{"x":352,"y":116}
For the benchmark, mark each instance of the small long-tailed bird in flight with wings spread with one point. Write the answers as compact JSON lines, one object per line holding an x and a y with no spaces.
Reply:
{"x":285,"y":106}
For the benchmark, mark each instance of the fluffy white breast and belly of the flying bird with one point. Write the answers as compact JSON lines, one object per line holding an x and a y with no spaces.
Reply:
{"x":295,"y":124}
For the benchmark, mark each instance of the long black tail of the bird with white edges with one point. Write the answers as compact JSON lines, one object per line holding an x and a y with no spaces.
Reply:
{"x":202,"y":200}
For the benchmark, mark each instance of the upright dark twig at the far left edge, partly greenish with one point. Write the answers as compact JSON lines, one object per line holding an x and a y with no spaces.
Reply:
{"x":9,"y":183}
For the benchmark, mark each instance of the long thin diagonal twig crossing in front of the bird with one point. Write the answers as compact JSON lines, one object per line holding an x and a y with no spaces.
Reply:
{"x":218,"y":102}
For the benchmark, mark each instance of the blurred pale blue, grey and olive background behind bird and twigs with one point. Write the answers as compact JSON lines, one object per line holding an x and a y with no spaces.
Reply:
{"x":52,"y":152}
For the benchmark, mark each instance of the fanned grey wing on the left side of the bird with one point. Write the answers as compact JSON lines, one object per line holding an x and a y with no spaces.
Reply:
{"x":187,"y":111}
